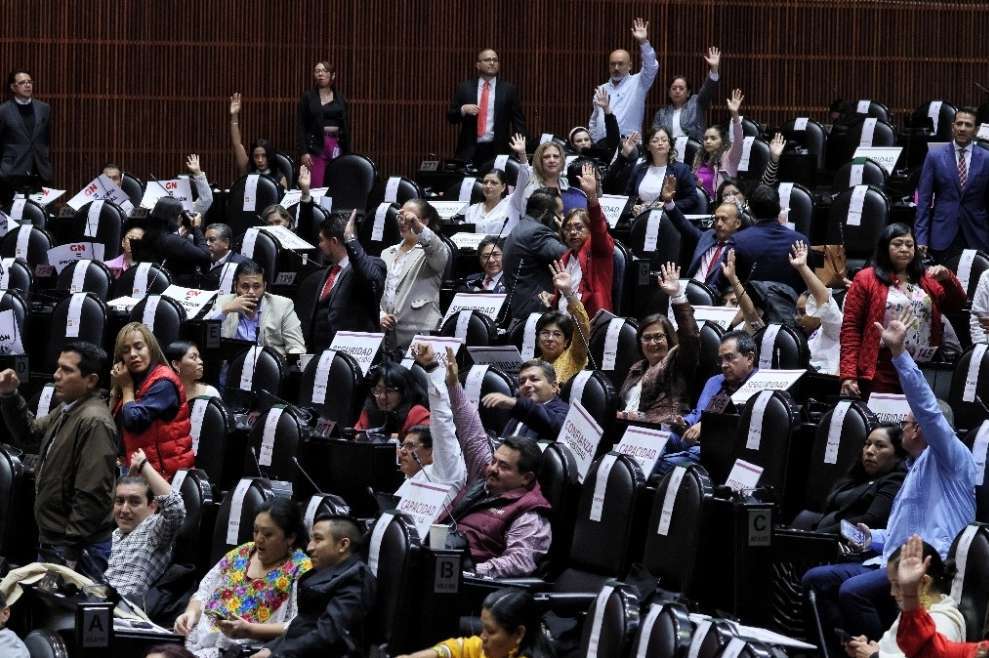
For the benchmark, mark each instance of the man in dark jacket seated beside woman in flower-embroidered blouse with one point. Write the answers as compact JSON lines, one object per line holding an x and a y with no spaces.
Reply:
{"x":335,"y":597}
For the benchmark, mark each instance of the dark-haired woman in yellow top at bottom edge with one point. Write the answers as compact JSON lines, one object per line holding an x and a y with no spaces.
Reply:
{"x":510,"y":628}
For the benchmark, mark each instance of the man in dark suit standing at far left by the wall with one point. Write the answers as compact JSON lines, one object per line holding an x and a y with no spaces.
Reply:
{"x":24,"y":139}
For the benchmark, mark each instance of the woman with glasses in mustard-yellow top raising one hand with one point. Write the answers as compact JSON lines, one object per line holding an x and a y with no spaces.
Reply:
{"x":562,"y":339}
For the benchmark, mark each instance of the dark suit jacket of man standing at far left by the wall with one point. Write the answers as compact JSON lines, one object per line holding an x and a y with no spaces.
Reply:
{"x":21,"y":153}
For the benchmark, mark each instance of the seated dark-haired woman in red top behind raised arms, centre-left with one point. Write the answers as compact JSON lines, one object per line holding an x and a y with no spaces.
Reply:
{"x":395,"y":401}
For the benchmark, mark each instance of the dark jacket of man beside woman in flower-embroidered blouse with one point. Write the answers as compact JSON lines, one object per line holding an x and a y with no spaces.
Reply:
{"x":334,"y":604}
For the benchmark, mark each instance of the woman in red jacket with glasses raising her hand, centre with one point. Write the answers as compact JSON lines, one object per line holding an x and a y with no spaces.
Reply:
{"x":590,"y":259}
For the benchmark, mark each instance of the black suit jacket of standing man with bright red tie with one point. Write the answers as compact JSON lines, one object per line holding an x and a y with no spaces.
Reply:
{"x":508,"y":120}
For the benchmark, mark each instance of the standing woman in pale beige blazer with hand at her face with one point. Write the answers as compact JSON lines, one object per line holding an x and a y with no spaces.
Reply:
{"x":410,"y":304}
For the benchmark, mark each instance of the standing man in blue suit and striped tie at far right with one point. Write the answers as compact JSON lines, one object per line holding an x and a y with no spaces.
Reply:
{"x":951,"y":208}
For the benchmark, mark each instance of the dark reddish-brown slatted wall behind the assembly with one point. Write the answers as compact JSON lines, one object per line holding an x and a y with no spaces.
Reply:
{"x":143,"y":82}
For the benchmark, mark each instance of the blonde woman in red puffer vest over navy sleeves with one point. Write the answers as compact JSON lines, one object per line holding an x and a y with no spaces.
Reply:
{"x":148,"y":400}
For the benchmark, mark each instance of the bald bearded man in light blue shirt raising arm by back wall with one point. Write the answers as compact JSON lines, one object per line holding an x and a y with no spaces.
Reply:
{"x":627,"y":91}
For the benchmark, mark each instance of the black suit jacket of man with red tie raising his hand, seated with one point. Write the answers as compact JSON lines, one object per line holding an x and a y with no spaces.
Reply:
{"x":354,"y":302}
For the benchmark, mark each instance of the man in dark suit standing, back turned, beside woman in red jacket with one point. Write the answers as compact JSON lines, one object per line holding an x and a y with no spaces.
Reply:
{"x":529,"y":250}
